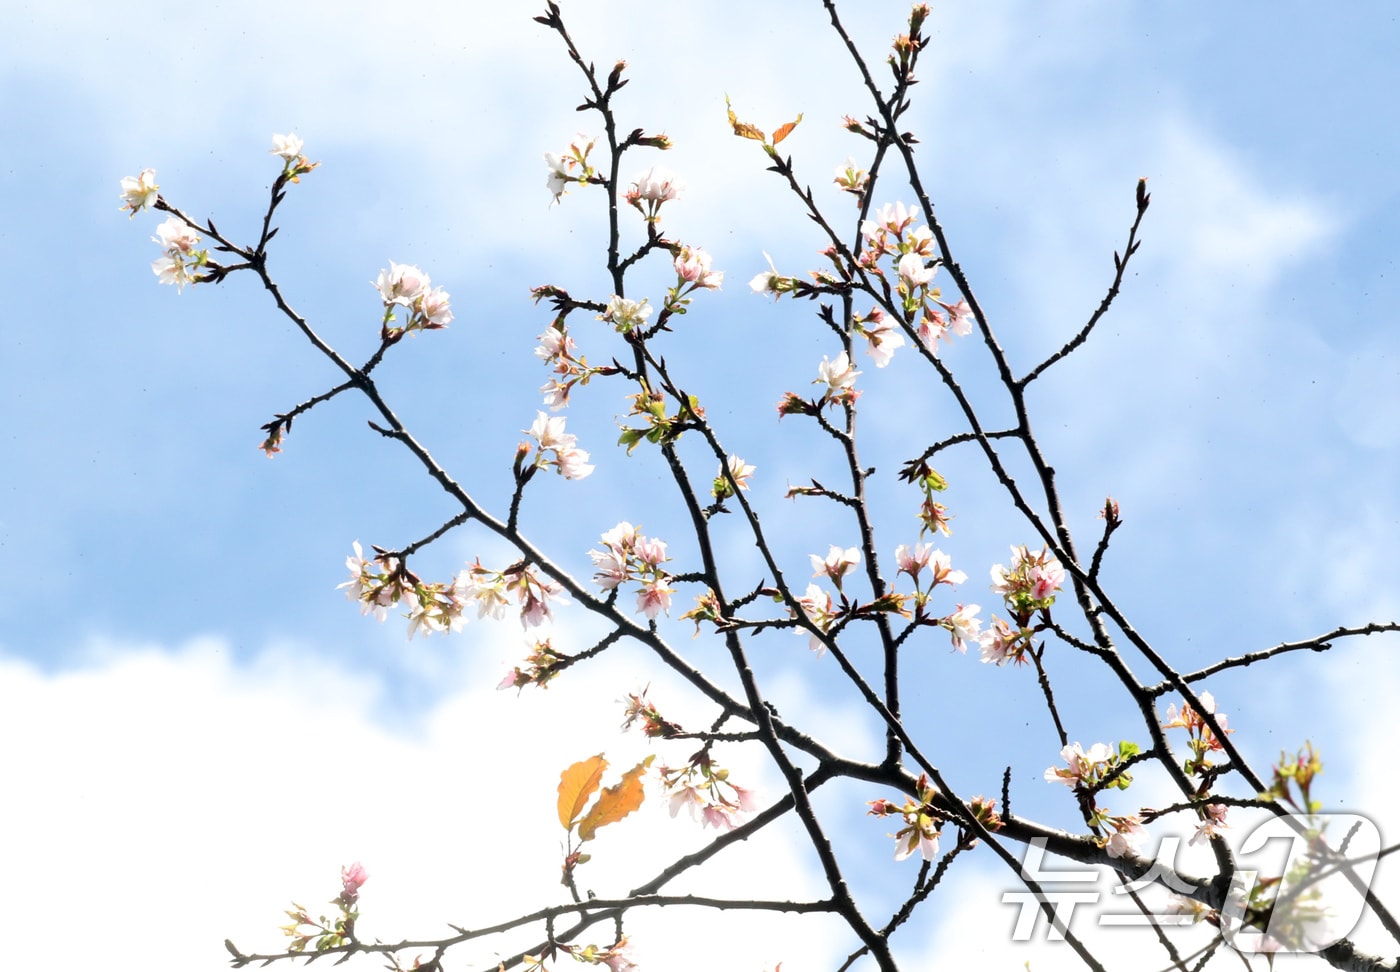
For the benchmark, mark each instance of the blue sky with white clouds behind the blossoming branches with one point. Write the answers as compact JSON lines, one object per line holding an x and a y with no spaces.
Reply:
{"x":201,"y":729}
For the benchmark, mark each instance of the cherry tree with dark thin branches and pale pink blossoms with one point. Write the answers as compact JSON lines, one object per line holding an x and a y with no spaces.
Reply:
{"x":871,"y":599}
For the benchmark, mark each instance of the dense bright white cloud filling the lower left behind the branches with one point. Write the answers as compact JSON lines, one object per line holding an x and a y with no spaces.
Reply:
{"x":163,"y":800}
